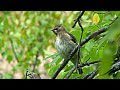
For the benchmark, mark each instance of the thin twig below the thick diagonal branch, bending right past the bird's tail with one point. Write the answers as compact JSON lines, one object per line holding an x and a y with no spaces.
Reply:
{"x":79,"y":66}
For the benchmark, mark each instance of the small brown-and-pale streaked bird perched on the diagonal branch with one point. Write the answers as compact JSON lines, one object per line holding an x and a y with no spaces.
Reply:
{"x":65,"y":43}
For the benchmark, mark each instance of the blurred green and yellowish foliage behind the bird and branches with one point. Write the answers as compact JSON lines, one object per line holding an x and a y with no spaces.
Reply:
{"x":26,"y":34}
